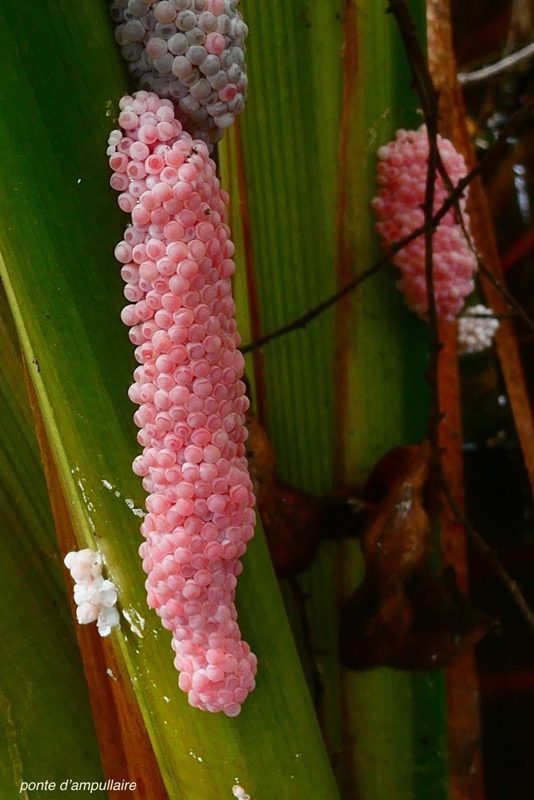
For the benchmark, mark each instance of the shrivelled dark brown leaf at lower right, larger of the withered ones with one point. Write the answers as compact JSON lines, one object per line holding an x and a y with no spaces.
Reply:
{"x":403,"y":615}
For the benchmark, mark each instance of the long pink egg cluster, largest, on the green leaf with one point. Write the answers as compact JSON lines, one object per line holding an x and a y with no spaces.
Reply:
{"x":177,"y":265}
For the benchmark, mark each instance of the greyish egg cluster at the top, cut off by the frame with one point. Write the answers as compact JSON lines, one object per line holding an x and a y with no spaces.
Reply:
{"x":191,"y":52}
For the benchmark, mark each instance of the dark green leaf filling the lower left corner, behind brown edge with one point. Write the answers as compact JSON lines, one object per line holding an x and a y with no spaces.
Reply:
{"x":46,"y":724}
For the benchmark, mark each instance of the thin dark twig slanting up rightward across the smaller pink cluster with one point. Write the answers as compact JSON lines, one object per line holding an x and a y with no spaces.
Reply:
{"x":516,"y":120}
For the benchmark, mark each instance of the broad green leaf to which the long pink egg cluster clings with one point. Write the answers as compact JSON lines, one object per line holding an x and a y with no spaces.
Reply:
{"x":57,"y":102}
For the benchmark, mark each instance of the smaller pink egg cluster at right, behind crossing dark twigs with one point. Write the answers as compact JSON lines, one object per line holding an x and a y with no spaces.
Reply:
{"x":402,"y":173}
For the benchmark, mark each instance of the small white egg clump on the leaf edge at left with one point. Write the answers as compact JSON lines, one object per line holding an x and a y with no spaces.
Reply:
{"x":94,"y":596}
